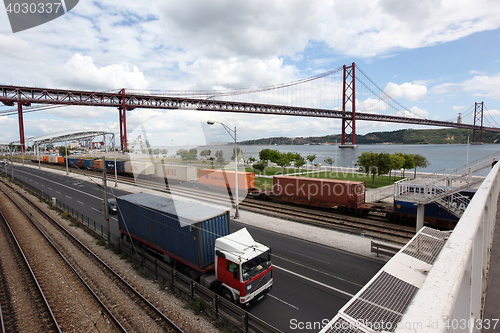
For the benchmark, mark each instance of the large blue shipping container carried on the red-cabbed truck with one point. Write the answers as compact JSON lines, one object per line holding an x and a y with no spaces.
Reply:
{"x":185,"y":231}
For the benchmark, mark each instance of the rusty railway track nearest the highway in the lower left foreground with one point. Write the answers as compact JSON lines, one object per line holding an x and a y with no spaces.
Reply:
{"x":122,"y":306}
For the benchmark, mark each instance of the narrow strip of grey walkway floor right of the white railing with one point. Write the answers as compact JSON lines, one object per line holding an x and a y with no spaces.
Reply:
{"x":492,"y":305}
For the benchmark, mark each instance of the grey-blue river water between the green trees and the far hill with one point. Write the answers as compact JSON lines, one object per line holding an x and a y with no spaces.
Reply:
{"x":446,"y":156}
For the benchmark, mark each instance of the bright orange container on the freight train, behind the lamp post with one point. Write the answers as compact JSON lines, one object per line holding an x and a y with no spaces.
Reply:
{"x":223,"y":179}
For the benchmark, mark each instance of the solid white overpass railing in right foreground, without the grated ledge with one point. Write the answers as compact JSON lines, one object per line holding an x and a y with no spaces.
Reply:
{"x":452,"y":296}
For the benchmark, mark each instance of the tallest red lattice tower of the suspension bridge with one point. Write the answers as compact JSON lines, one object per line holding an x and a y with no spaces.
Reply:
{"x":349,"y":108}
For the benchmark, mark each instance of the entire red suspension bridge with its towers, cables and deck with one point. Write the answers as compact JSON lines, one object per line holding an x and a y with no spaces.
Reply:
{"x":336,"y":96}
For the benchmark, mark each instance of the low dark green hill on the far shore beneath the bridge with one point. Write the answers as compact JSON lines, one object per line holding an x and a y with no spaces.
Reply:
{"x":406,"y":136}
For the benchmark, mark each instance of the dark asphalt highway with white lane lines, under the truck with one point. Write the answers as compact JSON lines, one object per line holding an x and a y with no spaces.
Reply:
{"x":312,"y":282}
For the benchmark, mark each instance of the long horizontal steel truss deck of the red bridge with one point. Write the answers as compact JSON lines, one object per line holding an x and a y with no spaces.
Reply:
{"x":26,"y":96}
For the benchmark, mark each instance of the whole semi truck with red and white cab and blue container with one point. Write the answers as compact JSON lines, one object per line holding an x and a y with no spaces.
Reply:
{"x":195,"y":239}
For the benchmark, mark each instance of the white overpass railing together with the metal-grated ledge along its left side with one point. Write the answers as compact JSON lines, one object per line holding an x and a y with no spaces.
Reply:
{"x":436,"y":282}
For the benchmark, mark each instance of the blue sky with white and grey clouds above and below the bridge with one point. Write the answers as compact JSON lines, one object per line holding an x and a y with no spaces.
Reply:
{"x":436,"y":57}
